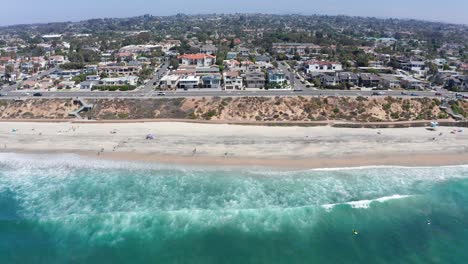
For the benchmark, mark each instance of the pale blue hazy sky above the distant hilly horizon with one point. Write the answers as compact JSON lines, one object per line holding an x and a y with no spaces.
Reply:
{"x":43,"y":11}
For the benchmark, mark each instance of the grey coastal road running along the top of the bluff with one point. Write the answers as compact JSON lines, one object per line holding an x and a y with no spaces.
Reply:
{"x":213,"y":93}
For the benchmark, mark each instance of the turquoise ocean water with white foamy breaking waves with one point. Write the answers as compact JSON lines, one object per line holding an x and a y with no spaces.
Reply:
{"x":65,"y":209}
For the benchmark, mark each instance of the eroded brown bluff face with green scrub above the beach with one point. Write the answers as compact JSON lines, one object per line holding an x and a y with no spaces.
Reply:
{"x":370,"y":109}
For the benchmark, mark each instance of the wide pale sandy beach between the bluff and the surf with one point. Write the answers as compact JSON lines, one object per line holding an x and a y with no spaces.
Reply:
{"x":222,"y":144}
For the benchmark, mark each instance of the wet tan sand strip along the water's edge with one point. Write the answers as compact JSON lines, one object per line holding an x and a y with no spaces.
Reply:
{"x":286,"y":163}
